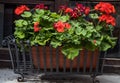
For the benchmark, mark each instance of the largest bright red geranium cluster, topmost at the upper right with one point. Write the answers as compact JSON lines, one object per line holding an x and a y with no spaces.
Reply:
{"x":105,"y":8}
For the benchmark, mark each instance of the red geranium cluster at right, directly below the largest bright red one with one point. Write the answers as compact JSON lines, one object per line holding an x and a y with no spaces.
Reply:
{"x":108,"y":19}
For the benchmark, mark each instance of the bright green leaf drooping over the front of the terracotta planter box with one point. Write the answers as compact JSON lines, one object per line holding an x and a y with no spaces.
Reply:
{"x":70,"y":52}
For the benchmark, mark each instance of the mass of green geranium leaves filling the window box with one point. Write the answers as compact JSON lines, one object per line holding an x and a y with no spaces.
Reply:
{"x":83,"y":33}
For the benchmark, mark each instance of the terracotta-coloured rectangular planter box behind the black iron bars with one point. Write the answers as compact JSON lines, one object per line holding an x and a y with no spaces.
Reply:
{"x":87,"y":58}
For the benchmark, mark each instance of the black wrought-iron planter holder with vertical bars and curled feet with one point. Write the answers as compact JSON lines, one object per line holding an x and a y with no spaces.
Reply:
{"x":23,"y":62}
